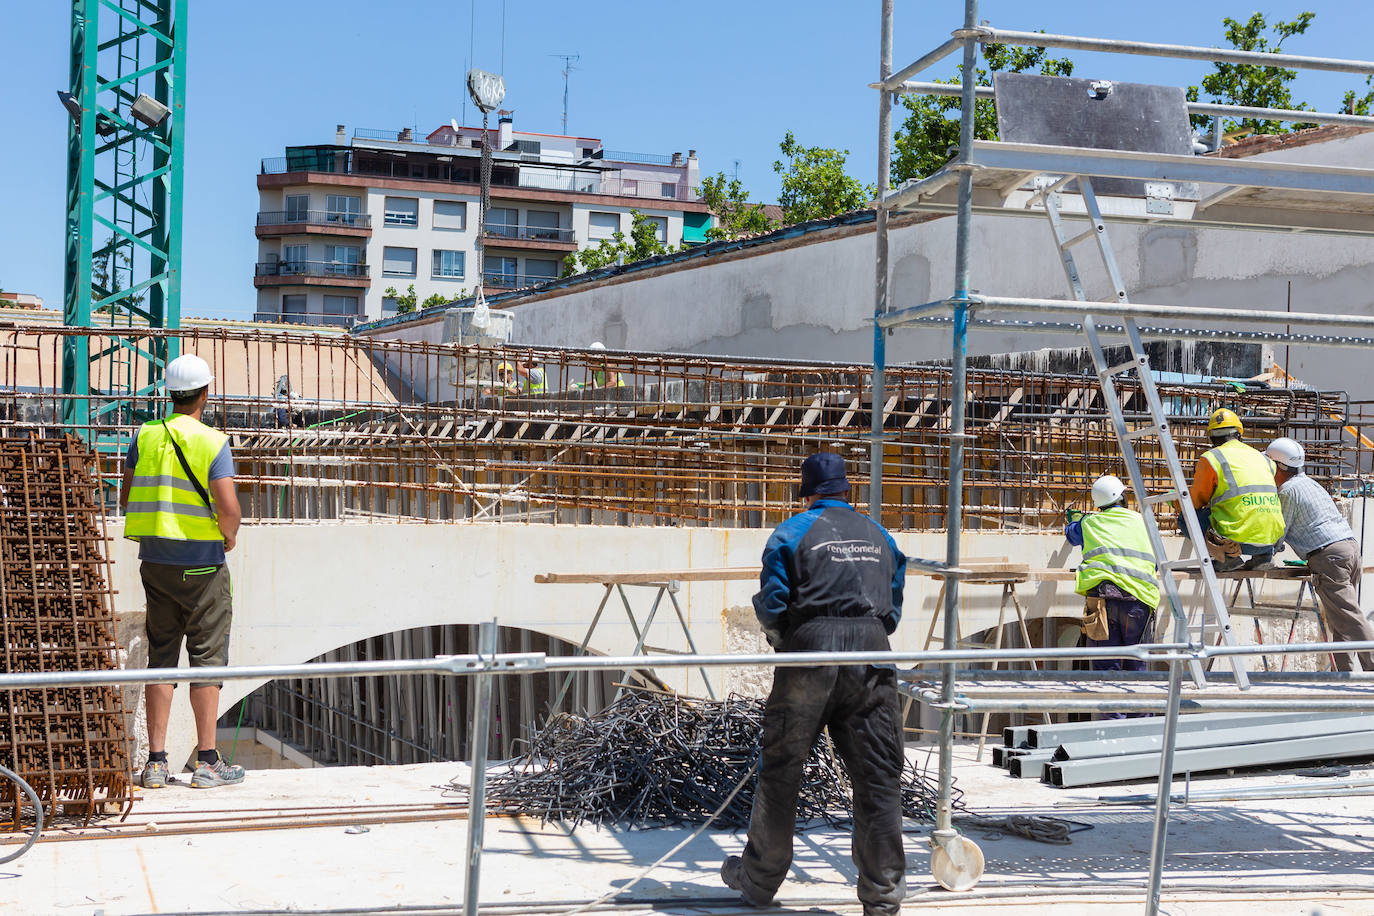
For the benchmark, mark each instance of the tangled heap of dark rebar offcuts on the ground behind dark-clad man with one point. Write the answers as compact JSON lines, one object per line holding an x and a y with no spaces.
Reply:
{"x":657,"y":760}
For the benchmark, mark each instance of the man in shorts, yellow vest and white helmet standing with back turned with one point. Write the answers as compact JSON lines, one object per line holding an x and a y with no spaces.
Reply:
{"x":183,"y":510}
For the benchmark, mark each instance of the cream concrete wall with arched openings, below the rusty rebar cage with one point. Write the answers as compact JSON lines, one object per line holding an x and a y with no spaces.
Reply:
{"x":304,"y":590}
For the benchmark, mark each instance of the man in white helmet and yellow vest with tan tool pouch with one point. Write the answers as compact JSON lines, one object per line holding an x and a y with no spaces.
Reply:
{"x":1118,"y":575}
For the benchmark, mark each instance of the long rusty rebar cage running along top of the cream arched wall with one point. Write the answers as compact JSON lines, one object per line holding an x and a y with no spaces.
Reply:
{"x":329,"y":426}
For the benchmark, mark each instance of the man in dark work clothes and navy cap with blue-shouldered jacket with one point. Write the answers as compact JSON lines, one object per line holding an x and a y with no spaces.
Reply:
{"x":832,"y":582}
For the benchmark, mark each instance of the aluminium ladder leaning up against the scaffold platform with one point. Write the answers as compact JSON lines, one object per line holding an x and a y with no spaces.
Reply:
{"x":1214,"y":616}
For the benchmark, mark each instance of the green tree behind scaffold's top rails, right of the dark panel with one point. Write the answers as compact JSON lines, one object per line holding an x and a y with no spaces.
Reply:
{"x":1254,"y":86}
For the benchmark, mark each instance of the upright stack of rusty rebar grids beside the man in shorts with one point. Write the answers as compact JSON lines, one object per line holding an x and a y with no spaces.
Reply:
{"x":56,"y":616}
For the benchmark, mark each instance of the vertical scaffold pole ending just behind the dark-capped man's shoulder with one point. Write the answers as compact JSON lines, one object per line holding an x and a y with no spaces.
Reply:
{"x":880,"y":306}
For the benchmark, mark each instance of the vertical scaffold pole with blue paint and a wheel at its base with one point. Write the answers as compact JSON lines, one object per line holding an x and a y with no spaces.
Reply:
{"x":958,"y":381}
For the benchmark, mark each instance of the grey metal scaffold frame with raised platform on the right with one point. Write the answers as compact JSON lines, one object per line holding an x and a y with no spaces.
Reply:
{"x":1346,"y":193}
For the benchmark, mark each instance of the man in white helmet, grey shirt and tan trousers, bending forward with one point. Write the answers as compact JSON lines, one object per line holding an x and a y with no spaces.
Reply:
{"x":1318,"y":534}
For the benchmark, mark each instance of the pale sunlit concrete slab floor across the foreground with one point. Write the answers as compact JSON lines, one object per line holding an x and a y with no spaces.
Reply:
{"x":248,"y":849}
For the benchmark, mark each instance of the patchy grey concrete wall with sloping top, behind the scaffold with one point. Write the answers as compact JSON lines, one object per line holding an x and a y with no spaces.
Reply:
{"x":813,"y":301}
